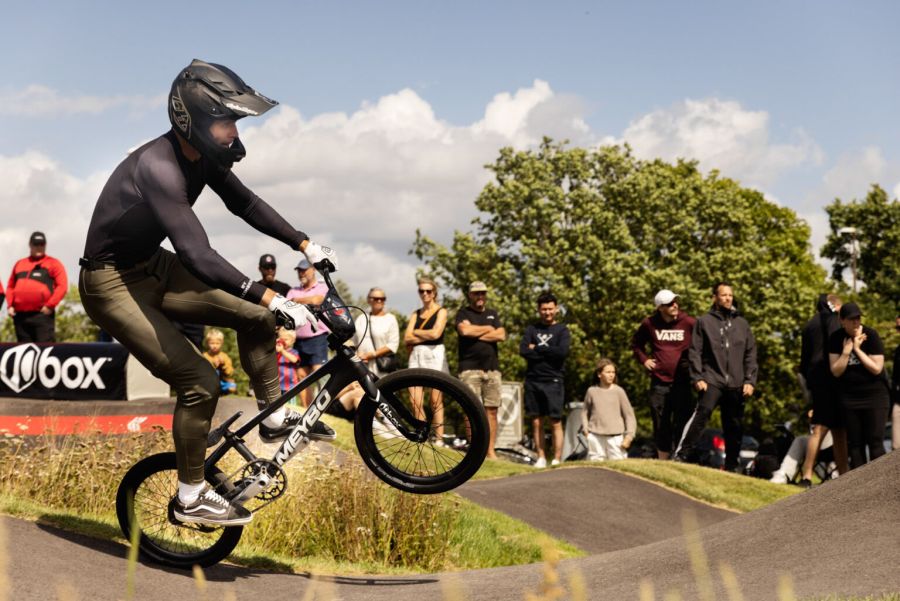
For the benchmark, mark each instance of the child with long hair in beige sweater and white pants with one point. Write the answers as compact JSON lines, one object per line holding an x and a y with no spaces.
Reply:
{"x":607,"y":418}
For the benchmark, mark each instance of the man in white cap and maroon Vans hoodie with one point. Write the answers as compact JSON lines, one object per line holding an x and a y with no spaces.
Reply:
{"x":667,"y":333}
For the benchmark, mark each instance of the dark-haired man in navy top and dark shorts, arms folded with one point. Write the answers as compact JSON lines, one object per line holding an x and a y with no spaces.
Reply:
{"x":545,"y":346}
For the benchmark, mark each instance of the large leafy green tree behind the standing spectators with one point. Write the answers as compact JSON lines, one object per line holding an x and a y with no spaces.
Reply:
{"x":604,"y":231}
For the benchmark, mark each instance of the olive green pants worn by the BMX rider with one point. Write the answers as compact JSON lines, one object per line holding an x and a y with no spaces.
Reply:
{"x":137,"y":306}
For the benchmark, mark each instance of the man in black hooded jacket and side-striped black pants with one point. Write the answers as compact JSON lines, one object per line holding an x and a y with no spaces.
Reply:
{"x":723,"y":370}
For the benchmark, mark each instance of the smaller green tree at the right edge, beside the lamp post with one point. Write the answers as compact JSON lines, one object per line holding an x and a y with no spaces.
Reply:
{"x":875,"y":222}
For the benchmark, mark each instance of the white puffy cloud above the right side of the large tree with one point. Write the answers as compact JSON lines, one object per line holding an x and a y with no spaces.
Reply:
{"x":722,"y":135}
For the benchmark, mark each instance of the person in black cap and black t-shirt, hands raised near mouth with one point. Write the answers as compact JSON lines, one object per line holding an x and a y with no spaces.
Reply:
{"x":856,"y":358}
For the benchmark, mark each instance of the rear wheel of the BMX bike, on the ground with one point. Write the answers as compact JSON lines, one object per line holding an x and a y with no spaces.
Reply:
{"x":143,"y":499}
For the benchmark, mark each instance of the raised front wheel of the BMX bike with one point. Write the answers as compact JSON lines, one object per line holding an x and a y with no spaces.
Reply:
{"x":424,"y":467}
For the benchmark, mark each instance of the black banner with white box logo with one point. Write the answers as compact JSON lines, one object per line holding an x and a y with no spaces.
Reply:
{"x":68,"y":371}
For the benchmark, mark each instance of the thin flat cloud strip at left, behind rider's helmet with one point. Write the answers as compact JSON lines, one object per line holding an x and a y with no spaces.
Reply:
{"x":41,"y":101}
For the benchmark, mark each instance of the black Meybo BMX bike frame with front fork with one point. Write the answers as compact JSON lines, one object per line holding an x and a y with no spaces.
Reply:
{"x":344,"y":368}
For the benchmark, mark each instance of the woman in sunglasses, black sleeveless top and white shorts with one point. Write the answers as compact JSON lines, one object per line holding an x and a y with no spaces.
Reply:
{"x":424,"y":340}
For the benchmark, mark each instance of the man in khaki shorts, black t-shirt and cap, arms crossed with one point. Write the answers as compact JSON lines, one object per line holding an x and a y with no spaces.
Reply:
{"x":479,"y":331}
